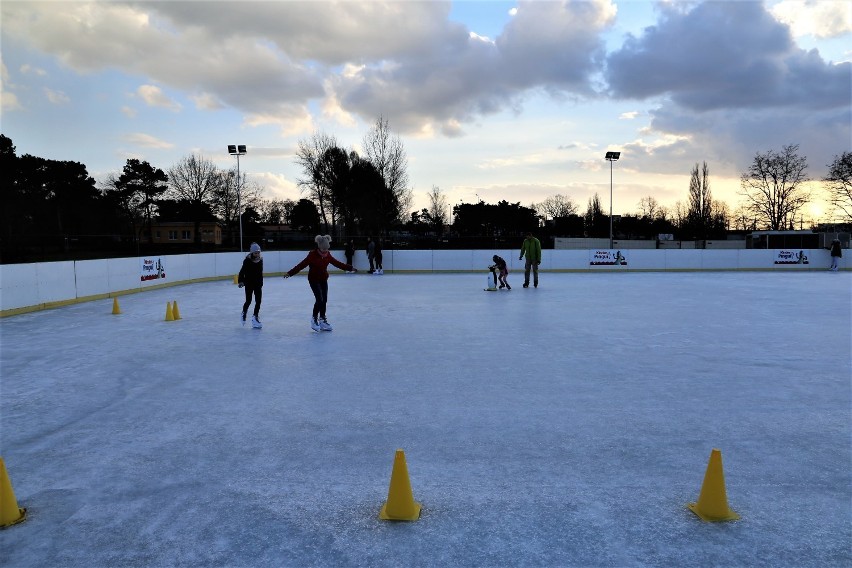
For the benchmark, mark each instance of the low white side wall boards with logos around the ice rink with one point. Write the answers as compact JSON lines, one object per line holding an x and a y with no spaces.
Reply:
{"x":31,"y":287}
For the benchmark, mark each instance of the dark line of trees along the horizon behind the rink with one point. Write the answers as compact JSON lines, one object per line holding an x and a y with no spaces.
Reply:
{"x":57,"y":206}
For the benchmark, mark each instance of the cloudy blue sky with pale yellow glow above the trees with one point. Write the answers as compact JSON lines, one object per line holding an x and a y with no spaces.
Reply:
{"x":491,"y":100}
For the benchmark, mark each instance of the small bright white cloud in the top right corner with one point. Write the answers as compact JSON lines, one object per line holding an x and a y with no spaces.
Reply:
{"x":822,"y":19}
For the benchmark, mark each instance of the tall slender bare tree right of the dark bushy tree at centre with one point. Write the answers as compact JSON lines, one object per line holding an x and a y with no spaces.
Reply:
{"x":387,"y":154}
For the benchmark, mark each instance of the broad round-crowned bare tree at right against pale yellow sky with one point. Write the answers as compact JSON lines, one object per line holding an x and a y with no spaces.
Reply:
{"x":774,"y":188}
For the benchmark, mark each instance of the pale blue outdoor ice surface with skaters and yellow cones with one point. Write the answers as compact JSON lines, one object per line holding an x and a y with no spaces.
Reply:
{"x":567,"y":425}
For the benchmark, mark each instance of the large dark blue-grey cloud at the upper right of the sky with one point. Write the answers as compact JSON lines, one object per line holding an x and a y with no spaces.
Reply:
{"x":725,"y":55}
